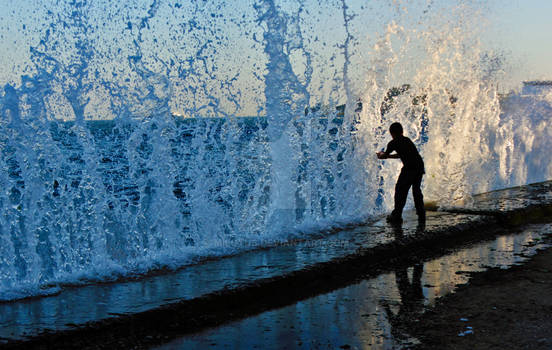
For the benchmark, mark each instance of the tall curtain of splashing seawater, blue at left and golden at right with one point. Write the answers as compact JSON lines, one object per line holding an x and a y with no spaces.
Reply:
{"x":102,"y":178}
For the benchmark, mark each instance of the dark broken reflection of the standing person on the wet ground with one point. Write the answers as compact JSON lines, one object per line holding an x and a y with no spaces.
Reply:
{"x":411,"y":293}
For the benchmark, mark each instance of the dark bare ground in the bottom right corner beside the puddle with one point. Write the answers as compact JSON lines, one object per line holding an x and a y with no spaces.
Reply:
{"x":498,"y":309}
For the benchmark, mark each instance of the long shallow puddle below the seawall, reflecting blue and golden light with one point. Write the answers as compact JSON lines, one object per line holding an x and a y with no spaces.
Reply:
{"x":371,"y":314}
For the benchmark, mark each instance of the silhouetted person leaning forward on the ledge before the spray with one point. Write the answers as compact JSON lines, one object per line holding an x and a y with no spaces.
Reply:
{"x":411,"y":172}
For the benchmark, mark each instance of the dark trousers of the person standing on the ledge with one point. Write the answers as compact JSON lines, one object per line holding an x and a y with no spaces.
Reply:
{"x":407,"y":179}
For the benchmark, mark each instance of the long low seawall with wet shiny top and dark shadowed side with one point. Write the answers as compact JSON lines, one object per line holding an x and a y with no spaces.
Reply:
{"x":252,"y":282}
